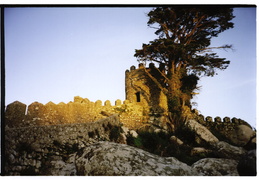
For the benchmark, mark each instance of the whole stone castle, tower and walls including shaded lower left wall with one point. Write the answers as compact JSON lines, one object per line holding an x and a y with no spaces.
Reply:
{"x":38,"y":126}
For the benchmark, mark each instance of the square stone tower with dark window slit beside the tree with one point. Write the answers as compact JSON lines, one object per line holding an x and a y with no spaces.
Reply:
{"x":141,"y":89}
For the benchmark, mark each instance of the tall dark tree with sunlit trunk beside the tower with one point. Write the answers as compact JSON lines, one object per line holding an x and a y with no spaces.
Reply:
{"x":183,"y":49}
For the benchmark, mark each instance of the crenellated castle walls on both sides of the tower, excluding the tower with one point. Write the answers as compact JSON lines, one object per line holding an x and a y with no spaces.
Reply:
{"x":133,"y":115}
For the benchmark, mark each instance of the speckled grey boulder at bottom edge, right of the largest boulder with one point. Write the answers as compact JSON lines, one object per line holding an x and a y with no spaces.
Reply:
{"x":216,"y":167}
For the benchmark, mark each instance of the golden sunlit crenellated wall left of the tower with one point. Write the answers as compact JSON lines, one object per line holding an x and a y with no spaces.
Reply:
{"x":80,"y":111}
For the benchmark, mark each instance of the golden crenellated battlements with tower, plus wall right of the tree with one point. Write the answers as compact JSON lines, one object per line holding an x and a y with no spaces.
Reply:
{"x":145,"y":106}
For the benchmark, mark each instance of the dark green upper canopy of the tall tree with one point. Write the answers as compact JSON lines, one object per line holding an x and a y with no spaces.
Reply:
{"x":185,"y":33}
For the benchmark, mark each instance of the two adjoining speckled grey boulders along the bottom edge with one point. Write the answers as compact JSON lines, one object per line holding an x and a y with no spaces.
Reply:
{"x":107,"y":158}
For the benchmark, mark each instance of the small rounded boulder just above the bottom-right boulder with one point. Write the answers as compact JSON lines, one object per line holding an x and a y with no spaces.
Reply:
{"x":225,"y":150}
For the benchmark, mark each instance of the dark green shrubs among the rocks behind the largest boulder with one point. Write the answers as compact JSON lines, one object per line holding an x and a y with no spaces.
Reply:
{"x":160,"y":144}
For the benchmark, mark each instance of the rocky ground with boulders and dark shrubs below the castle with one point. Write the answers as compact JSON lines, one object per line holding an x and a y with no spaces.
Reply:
{"x":128,"y":153}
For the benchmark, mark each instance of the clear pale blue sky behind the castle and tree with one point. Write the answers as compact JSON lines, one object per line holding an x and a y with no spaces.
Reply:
{"x":54,"y":54}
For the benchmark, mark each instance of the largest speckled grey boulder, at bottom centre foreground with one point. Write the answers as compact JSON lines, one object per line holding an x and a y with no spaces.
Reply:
{"x":107,"y":158}
